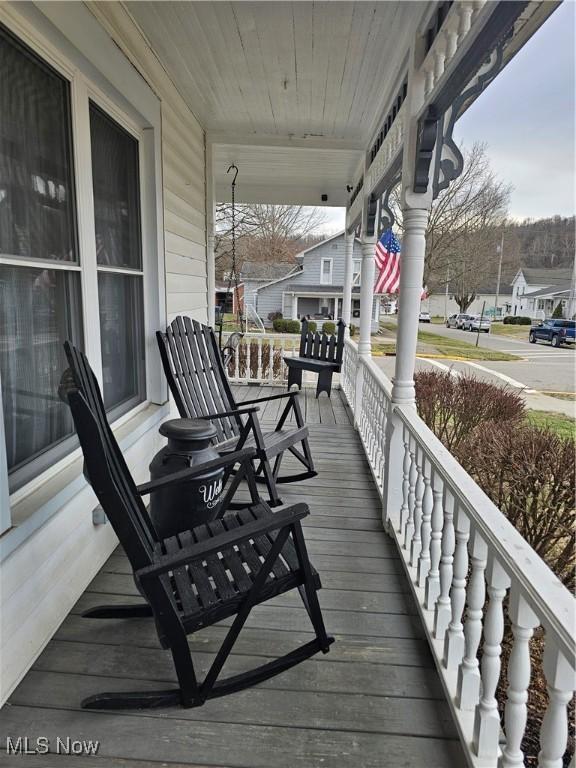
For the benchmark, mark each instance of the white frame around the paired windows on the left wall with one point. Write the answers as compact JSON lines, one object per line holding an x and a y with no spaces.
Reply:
{"x":138,"y":111}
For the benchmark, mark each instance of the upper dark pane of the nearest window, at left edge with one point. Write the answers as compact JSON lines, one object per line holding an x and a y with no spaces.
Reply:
{"x":36,"y":188}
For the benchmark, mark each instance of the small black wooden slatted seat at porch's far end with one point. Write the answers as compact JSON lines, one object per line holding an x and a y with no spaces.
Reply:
{"x":319,"y":353}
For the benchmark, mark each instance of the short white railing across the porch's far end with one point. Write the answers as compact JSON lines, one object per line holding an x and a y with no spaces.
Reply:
{"x":259,"y":359}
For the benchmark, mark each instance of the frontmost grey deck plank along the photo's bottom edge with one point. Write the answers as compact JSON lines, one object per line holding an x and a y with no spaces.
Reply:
{"x":161,"y":738}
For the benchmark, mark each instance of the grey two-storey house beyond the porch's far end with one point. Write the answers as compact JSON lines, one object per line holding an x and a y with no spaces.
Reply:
{"x":316,"y":287}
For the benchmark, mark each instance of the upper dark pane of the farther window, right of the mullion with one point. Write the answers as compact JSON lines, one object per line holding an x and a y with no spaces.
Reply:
{"x":116,"y":192}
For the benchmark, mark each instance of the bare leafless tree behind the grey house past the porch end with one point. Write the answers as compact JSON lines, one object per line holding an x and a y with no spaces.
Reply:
{"x":267,"y":233}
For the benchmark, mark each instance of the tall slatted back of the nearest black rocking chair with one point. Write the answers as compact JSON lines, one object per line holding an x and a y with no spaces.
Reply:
{"x":105,"y":467}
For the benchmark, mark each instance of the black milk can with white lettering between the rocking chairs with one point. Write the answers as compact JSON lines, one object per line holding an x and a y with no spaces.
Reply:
{"x":180,"y":507}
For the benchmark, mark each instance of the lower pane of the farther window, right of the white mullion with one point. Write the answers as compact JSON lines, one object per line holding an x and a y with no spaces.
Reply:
{"x":122,"y":339}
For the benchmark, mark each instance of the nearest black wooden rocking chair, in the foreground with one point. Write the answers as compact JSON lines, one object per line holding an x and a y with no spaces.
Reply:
{"x":201,"y":576}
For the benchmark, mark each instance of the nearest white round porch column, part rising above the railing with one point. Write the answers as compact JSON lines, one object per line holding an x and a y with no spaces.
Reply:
{"x":411,"y":277}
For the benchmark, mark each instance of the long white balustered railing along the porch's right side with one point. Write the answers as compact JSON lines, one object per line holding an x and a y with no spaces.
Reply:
{"x":458,"y":549}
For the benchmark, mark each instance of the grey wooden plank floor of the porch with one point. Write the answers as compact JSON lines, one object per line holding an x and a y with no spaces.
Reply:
{"x":374,"y":701}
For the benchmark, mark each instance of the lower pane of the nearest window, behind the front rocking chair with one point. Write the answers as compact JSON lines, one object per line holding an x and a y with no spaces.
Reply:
{"x":39,"y":310}
